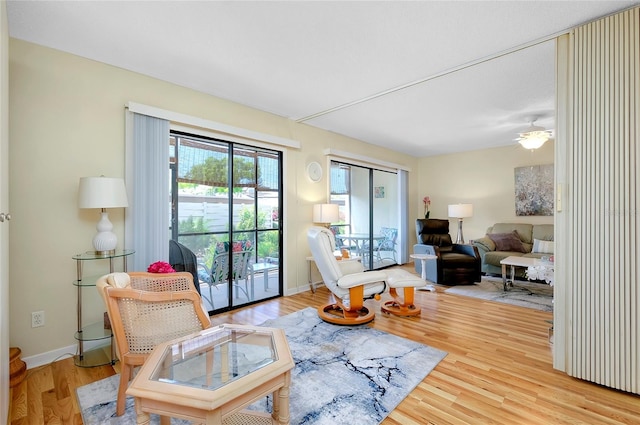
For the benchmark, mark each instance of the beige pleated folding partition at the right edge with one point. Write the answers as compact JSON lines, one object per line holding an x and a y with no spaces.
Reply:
{"x":598,"y":134}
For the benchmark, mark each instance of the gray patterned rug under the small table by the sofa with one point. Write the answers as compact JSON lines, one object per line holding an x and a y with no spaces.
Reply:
{"x":524,"y":294}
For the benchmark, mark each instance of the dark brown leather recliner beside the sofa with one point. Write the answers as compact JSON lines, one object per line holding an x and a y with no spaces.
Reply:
{"x":456,"y":264}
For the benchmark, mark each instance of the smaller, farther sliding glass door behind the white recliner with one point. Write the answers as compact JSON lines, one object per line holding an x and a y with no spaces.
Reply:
{"x":368,"y":200}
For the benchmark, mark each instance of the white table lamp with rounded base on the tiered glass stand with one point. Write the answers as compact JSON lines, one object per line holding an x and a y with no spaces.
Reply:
{"x":103,"y":192}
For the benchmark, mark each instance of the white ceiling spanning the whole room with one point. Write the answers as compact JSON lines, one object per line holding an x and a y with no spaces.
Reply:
{"x":420,"y":77}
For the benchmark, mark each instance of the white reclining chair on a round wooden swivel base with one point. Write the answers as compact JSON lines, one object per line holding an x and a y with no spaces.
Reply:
{"x":347,"y":281}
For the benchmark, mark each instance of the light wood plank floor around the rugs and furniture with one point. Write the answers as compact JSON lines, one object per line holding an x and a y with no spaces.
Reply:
{"x":498,"y":369}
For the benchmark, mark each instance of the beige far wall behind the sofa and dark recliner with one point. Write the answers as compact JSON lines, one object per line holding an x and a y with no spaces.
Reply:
{"x":483,"y":178}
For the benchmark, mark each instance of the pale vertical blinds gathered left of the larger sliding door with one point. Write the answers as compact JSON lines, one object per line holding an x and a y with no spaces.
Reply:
{"x":147,"y":180}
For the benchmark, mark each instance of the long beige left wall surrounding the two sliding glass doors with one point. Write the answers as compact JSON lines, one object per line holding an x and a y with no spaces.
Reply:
{"x":67,"y":121}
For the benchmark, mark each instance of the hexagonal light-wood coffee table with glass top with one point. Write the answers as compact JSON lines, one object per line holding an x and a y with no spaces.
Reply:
{"x":211,"y":376}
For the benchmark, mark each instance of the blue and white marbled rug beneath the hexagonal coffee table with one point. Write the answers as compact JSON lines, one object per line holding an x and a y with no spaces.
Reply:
{"x":358,"y":373}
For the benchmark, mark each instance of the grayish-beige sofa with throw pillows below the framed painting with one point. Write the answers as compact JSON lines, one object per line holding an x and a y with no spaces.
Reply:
{"x":513,"y":239}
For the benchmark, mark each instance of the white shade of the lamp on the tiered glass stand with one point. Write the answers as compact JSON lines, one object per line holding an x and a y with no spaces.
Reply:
{"x":102,"y":192}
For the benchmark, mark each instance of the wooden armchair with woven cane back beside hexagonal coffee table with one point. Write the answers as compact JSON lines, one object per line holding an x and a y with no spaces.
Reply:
{"x":146,"y":309}
